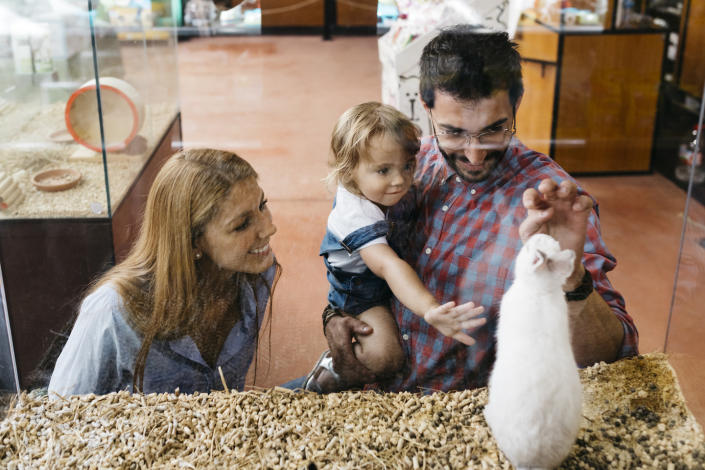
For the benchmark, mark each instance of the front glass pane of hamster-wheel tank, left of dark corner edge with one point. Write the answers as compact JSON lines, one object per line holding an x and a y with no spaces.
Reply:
{"x":45,"y":56}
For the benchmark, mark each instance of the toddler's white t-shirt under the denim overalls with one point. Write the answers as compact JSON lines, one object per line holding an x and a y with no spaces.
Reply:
{"x":350,"y":213}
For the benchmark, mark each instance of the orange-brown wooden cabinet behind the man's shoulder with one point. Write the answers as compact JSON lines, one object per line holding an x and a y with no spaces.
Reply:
{"x":590,"y":98}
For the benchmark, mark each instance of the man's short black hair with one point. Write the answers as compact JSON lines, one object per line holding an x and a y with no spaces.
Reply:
{"x":470,"y":64}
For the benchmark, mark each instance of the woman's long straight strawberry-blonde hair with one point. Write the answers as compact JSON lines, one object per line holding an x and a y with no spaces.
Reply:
{"x":159,"y":280}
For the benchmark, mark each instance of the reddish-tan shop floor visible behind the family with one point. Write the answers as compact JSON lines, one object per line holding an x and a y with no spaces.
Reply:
{"x":274,"y":101}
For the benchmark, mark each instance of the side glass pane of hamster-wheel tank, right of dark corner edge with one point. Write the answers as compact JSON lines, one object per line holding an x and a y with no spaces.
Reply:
{"x":136,"y":50}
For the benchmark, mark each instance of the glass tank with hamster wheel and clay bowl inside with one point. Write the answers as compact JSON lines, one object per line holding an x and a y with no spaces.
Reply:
{"x":69,"y":148}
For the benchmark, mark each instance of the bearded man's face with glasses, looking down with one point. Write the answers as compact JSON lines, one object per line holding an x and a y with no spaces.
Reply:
{"x":473,"y":160}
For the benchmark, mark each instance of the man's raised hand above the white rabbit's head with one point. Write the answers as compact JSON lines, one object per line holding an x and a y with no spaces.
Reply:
{"x":558,"y":210}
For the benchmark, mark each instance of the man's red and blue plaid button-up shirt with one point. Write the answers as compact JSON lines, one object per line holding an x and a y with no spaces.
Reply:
{"x":462,"y":241}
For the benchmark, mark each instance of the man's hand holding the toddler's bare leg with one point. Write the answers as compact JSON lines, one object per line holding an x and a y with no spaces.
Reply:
{"x":340,"y":332}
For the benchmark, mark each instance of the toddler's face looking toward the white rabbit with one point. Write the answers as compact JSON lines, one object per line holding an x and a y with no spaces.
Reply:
{"x":386,"y":173}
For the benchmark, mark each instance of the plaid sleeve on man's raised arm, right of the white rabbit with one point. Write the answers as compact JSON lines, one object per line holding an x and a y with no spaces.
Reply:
{"x":599,"y":261}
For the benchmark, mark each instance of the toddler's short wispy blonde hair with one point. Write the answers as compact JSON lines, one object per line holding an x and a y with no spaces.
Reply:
{"x":353,"y":133}
